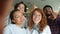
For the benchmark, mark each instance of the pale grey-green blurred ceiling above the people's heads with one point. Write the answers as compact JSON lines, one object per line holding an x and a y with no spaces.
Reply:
{"x":41,"y":3}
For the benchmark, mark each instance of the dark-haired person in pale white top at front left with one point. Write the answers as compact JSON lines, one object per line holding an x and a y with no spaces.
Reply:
{"x":17,"y":20}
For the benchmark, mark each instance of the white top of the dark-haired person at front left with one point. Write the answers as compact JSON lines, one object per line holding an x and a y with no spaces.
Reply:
{"x":14,"y":29}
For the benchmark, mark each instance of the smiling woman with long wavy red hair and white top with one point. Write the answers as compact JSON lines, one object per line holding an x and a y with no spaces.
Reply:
{"x":38,"y":23}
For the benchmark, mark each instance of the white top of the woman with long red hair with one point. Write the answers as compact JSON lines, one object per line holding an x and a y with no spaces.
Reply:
{"x":46,"y":30}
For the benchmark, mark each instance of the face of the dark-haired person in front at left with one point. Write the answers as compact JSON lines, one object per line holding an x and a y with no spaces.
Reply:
{"x":18,"y":17}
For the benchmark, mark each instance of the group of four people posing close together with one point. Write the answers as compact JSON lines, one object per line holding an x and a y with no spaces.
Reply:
{"x":40,"y":21}
